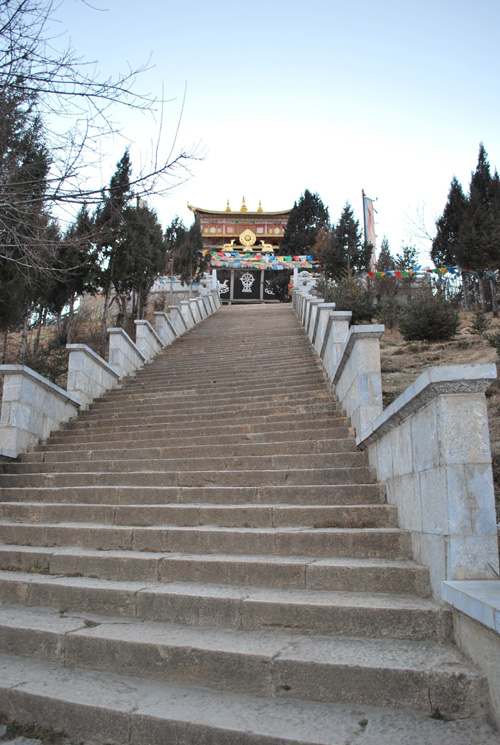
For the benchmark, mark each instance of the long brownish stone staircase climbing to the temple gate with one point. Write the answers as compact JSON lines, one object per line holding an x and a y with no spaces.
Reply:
{"x":203,"y":558}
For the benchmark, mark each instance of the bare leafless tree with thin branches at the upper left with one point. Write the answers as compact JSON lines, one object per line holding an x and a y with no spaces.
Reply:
{"x":72,"y":107}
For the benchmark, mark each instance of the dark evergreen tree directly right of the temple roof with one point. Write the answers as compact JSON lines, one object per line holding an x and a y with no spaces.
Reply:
{"x":308,"y":216}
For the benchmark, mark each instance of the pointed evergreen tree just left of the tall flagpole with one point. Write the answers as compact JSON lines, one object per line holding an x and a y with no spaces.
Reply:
{"x":345,"y":253}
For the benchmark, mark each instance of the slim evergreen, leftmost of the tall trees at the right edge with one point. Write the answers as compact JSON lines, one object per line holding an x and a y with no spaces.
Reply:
{"x":445,"y":245}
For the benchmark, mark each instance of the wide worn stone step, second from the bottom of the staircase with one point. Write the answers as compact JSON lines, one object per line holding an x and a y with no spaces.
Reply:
{"x":340,"y":670}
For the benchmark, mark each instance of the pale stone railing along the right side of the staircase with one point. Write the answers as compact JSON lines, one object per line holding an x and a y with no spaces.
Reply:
{"x":431,"y":450}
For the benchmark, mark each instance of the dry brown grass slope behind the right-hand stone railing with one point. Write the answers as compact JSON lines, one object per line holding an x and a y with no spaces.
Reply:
{"x":402,"y":362}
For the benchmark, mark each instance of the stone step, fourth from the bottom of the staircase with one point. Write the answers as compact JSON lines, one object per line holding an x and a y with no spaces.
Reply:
{"x":341,"y":574}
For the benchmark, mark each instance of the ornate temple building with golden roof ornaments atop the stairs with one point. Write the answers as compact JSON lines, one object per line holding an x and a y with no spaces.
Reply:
{"x":244,"y":251}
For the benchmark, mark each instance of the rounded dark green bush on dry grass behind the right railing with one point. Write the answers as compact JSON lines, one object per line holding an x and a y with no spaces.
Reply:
{"x":429,"y":318}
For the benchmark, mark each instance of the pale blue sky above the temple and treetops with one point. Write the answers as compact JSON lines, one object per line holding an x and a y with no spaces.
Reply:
{"x":331,"y":96}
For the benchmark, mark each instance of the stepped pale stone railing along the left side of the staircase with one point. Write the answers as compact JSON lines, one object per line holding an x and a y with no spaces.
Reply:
{"x":33,"y":407}
